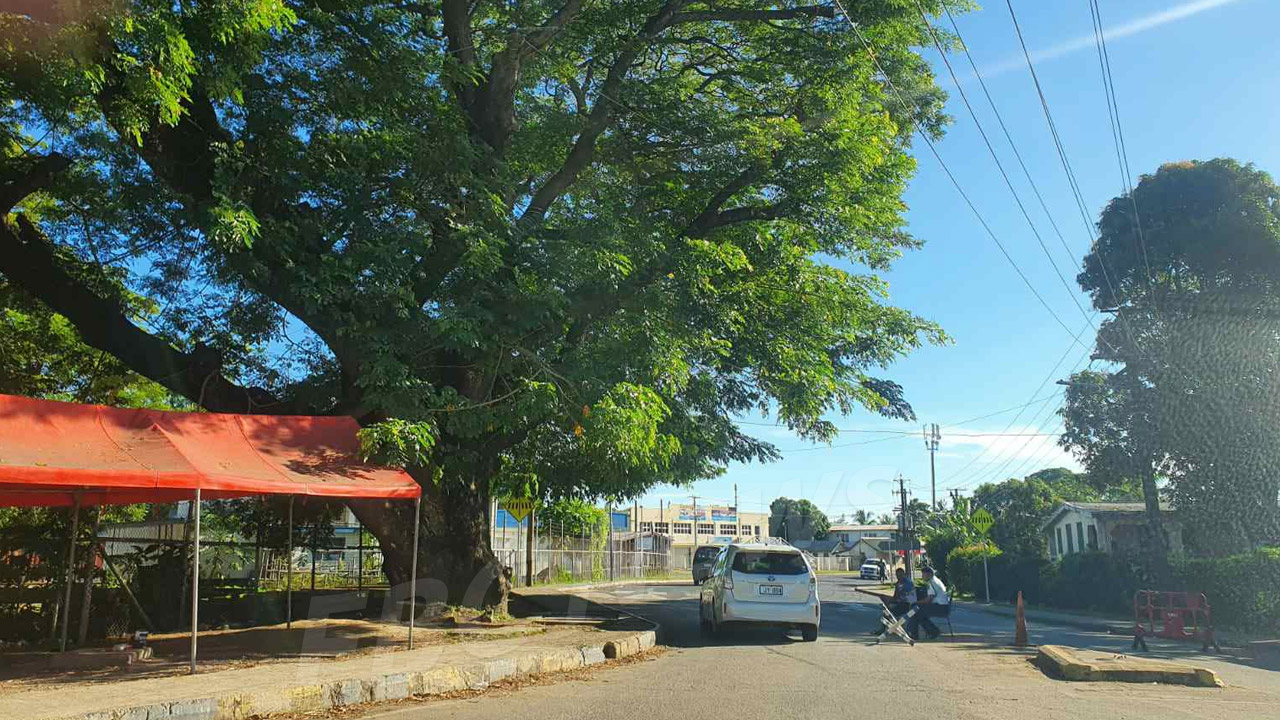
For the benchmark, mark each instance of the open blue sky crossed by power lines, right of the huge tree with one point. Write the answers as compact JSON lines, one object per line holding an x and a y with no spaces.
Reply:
{"x":1195,"y":80}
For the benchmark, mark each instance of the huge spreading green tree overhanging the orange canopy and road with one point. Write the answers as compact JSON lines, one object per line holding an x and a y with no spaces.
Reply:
{"x":547,"y":247}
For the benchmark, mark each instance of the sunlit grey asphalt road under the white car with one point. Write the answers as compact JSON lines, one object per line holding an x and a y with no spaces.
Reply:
{"x":769,"y":673}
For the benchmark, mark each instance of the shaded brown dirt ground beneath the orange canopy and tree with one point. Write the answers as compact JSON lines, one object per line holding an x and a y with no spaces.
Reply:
{"x":307,"y":641}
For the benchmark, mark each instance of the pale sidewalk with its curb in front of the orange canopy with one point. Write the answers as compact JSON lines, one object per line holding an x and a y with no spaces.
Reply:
{"x":313,"y":685}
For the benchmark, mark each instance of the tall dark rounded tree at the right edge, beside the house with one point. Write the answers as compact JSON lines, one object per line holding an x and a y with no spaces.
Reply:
{"x":1188,"y":268}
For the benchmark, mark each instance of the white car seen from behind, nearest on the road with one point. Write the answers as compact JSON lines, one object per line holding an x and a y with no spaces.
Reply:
{"x":761,"y":584}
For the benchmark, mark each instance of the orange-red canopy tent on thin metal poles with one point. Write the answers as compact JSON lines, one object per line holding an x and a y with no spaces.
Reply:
{"x":65,"y":454}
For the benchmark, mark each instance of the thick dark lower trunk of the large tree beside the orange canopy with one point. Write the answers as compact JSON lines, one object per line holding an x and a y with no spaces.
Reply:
{"x":456,"y":563}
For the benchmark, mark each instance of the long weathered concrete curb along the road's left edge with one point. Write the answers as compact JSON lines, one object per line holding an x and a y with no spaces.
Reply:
{"x":380,"y":689}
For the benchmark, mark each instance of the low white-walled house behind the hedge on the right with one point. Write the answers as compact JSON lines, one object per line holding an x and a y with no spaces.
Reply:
{"x":1105,"y":527}
